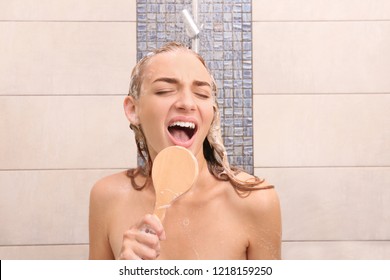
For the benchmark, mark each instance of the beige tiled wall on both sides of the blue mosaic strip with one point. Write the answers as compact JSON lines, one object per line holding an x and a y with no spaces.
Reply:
{"x":320,"y":107}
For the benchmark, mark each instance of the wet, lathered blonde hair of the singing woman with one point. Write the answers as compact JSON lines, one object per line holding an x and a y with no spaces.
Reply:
{"x":213,"y":149}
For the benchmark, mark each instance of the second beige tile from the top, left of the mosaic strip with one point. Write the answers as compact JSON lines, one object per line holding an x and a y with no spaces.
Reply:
{"x":66,"y":58}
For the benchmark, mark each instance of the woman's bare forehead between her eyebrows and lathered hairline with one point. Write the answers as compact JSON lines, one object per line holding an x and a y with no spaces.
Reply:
{"x":181,"y":64}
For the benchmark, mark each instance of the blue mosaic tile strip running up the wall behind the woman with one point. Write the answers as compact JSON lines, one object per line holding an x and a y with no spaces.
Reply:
{"x":226,"y":45}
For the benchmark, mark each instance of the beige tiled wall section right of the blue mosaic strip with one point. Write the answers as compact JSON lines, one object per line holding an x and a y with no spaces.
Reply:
{"x":322,"y":123}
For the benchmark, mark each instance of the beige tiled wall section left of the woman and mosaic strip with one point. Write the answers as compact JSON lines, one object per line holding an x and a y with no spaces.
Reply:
{"x":64,"y":72}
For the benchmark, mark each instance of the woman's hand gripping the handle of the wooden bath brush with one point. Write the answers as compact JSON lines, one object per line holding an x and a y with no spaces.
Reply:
{"x":142,"y":241}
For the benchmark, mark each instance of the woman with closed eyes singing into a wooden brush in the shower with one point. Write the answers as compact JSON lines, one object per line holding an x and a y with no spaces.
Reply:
{"x":227,"y":213}
